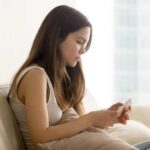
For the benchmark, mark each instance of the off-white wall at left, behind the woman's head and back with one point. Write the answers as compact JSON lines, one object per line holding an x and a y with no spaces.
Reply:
{"x":20,"y":20}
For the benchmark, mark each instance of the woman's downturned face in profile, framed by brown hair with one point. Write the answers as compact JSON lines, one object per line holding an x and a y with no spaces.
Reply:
{"x":74,"y":45}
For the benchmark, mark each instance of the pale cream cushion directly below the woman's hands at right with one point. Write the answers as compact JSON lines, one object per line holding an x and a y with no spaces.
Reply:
{"x":134,"y":132}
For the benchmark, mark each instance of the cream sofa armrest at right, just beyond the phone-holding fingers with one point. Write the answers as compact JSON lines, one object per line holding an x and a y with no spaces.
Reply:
{"x":141,"y":113}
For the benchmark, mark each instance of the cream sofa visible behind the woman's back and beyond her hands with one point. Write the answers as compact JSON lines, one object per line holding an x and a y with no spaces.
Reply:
{"x":10,"y":137}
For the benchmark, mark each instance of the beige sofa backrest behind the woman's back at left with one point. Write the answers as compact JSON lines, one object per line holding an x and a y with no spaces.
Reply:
{"x":10,"y":138}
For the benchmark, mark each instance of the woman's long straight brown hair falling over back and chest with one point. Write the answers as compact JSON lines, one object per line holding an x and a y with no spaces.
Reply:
{"x":68,"y":82}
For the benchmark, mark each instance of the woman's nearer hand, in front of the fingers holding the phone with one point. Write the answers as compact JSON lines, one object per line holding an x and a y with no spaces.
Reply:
{"x":103,"y":118}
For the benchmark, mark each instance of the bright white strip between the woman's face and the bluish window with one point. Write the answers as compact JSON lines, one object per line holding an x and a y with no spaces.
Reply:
{"x":98,"y":61}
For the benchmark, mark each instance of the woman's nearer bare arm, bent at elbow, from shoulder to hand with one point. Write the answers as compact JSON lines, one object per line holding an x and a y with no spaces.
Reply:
{"x":33,"y":89}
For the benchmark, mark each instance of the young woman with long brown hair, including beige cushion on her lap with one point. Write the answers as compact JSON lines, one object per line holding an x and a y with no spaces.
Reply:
{"x":47,"y":91}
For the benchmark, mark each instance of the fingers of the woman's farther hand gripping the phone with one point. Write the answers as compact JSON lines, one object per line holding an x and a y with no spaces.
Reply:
{"x":125,"y":114}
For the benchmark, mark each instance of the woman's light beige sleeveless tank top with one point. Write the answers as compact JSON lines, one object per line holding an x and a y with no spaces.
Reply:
{"x":54,"y":111}
